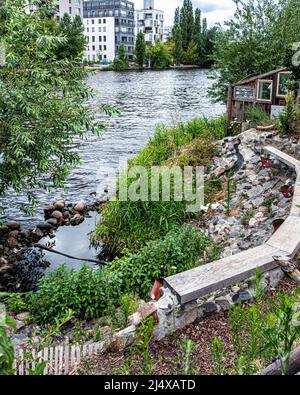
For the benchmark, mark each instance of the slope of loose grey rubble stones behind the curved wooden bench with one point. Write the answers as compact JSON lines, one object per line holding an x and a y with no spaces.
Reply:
{"x":256,"y":200}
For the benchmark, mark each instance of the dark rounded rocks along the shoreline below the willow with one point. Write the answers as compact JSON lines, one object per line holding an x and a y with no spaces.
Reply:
{"x":15,"y":241}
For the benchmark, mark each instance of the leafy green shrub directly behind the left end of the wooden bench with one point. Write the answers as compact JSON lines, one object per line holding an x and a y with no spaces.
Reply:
{"x":180,"y":250}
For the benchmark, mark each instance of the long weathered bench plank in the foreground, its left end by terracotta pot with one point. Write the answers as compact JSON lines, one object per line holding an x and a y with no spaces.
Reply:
{"x":203,"y":280}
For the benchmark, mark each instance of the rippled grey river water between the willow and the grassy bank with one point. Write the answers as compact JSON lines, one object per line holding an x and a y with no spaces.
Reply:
{"x":146,"y":99}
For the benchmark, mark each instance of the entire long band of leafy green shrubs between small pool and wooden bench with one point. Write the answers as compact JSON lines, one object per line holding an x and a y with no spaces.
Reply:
{"x":92,"y":293}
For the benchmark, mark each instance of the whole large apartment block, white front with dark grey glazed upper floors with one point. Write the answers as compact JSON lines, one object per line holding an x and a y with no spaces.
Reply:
{"x":108,"y":24}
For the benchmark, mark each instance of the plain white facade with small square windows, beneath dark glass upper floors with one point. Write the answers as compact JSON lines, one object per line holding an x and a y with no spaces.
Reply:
{"x":100,"y":34}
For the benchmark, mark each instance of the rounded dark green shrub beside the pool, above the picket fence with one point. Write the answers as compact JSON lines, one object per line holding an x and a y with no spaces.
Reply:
{"x":85,"y":292}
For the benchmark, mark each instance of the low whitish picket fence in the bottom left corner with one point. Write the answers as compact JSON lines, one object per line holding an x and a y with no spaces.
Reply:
{"x":60,"y":360}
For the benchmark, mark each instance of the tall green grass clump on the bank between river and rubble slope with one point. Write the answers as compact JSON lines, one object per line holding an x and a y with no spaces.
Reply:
{"x":131,"y":224}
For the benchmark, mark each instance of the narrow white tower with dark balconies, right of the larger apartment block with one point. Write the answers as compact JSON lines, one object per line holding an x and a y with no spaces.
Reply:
{"x":150,"y":21}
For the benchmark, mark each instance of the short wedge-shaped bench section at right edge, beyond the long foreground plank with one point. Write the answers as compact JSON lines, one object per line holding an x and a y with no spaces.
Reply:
{"x":287,"y":238}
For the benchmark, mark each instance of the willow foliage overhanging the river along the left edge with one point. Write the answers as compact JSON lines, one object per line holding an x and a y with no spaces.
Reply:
{"x":43,"y":100}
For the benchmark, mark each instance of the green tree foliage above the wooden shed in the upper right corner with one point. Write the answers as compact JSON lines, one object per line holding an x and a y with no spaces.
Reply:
{"x":255,"y":41}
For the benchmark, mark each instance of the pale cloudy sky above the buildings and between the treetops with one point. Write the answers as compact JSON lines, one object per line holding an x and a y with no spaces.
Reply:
{"x":214,"y":10}
